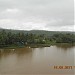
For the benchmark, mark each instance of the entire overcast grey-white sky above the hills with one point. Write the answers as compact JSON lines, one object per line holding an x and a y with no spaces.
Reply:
{"x":37,"y":14}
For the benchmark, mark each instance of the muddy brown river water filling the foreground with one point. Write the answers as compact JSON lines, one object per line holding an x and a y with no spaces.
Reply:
{"x":41,"y":61}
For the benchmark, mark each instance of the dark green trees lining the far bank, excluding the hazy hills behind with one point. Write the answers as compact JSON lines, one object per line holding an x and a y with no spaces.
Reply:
{"x":21,"y":39}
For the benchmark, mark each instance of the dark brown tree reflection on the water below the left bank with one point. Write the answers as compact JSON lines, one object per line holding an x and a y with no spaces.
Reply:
{"x":18,"y":51}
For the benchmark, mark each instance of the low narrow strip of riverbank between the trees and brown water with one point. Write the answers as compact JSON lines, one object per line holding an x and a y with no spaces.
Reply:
{"x":36,"y":45}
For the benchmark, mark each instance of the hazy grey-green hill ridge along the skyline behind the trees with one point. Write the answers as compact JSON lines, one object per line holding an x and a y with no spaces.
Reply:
{"x":37,"y":32}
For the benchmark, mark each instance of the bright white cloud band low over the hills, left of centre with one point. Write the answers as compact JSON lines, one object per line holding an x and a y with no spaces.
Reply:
{"x":14,"y":24}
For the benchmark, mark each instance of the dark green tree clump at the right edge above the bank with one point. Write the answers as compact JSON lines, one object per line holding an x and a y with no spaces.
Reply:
{"x":64,"y":38}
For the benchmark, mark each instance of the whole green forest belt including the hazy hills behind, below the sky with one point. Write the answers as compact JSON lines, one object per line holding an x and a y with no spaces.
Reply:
{"x":24,"y":38}
